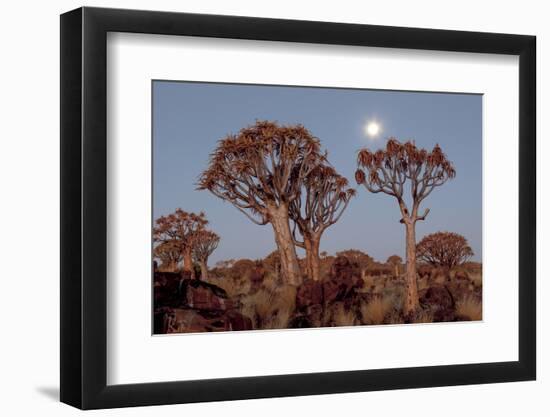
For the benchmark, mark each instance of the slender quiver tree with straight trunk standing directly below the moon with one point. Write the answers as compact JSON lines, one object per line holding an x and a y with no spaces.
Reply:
{"x":395,"y":169}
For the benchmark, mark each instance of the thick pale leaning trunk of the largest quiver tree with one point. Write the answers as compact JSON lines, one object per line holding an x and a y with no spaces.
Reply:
{"x":283,"y":237}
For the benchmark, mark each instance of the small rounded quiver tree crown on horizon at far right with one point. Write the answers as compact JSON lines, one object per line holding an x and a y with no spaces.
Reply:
{"x":444,"y":249}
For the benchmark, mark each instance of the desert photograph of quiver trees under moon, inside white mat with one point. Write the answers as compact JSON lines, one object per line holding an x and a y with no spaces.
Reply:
{"x":288,"y":207}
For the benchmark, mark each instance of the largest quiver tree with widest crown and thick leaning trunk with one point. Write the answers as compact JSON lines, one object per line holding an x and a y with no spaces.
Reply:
{"x":260,"y":171}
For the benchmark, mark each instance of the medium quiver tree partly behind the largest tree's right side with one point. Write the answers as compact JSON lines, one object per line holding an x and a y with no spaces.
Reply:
{"x":324,"y":197}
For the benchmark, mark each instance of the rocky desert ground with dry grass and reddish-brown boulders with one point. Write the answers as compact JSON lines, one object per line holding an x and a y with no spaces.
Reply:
{"x":354,"y":290}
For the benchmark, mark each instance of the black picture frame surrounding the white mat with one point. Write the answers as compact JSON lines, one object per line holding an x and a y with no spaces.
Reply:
{"x":84,"y":207}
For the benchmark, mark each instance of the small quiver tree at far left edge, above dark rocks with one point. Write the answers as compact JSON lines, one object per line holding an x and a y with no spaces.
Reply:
{"x":179,"y":228}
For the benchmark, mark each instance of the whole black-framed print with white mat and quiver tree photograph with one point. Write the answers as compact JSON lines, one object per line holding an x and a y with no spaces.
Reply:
{"x":257,"y":208}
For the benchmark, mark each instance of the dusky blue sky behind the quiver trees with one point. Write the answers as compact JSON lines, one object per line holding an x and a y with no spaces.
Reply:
{"x":189,"y":118}
